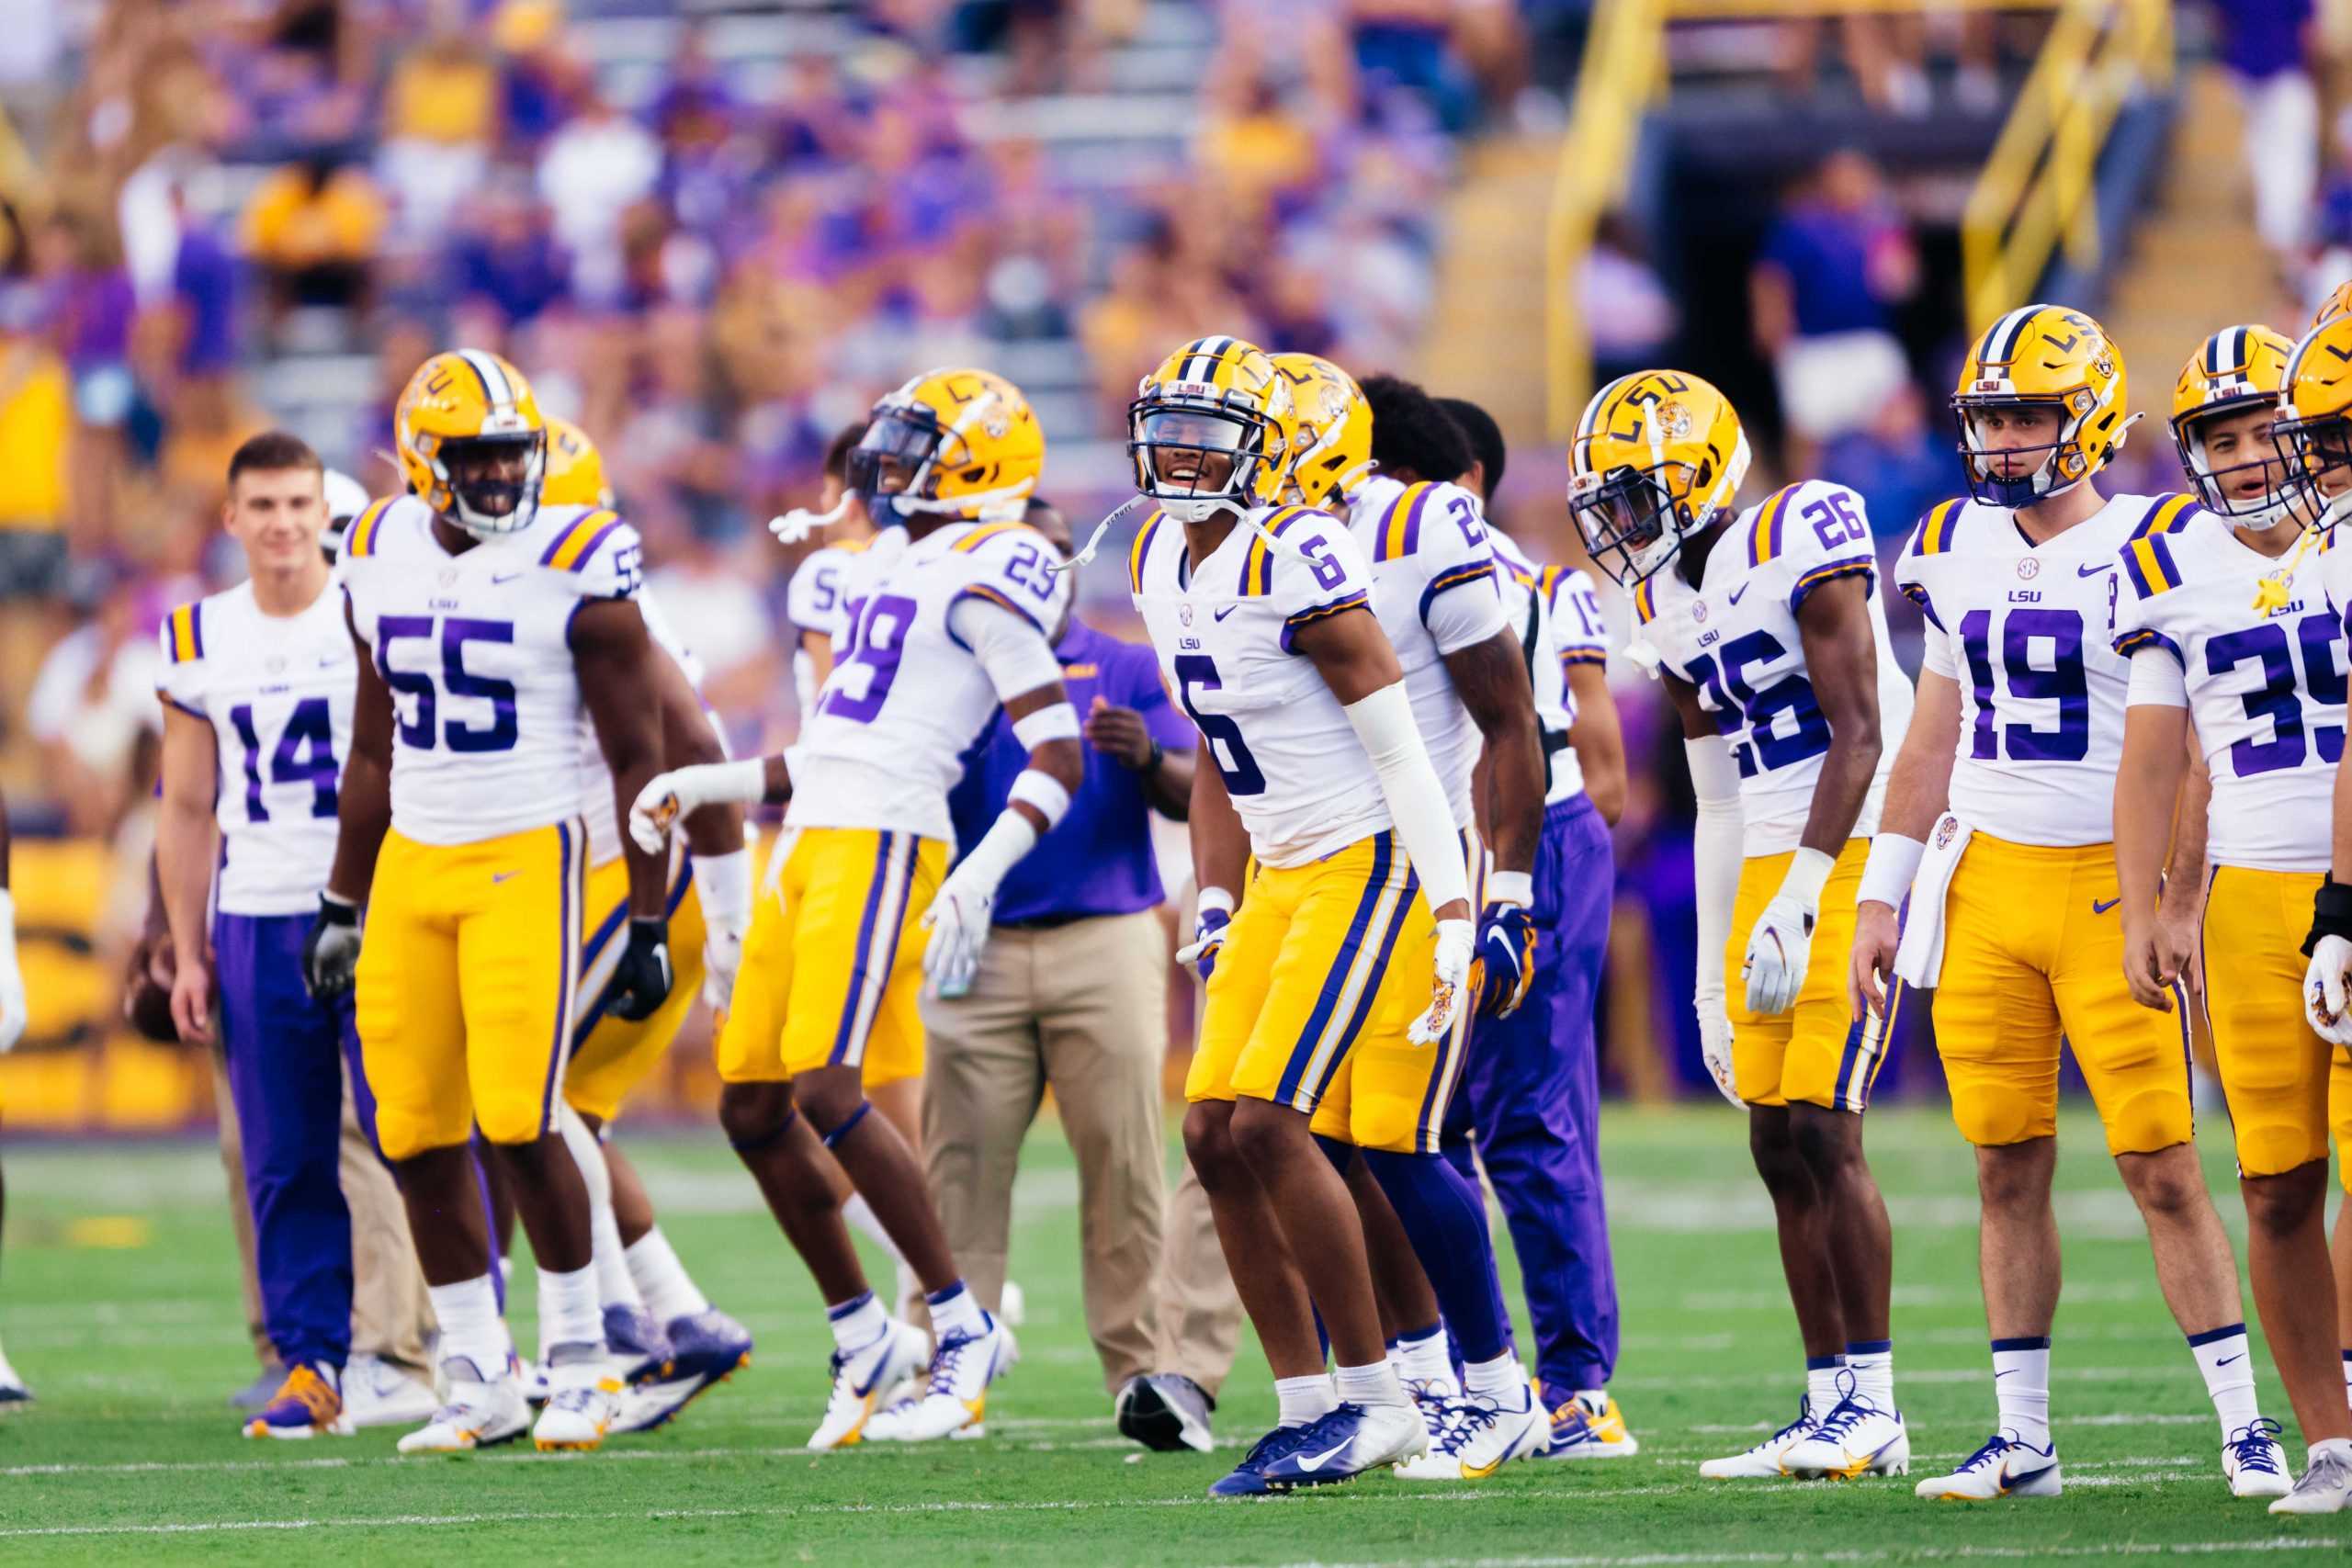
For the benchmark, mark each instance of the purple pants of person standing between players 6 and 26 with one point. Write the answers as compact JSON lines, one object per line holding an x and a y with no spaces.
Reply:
{"x":1532,"y":1090}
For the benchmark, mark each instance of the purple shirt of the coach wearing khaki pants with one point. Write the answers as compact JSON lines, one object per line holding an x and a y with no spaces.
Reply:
{"x":1100,"y":857}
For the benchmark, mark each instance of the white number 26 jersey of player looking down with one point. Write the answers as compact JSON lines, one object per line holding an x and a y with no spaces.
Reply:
{"x":1735,"y":641}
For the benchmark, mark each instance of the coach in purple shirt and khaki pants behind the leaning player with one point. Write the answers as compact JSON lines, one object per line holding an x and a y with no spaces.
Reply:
{"x":1071,"y":996}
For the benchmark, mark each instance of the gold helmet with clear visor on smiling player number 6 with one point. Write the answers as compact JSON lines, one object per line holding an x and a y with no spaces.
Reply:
{"x":1212,"y":429}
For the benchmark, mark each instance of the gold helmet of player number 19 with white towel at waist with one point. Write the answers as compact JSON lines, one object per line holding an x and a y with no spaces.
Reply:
{"x":2040,"y":359}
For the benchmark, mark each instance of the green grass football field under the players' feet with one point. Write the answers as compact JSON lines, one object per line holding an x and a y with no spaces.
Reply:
{"x":119,"y":1306}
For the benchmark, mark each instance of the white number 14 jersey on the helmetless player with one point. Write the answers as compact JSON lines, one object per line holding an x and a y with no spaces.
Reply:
{"x":276,"y":692}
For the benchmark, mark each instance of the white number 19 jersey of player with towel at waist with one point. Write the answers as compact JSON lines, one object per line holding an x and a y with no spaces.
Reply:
{"x":2029,"y":636}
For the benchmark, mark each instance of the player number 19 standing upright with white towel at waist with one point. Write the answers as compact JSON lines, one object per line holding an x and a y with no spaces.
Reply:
{"x":2014,"y":909}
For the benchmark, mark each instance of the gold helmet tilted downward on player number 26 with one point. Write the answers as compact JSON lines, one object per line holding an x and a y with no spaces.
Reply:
{"x":1657,"y":457}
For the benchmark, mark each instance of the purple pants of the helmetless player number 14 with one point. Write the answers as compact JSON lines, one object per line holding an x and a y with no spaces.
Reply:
{"x":286,"y":1073}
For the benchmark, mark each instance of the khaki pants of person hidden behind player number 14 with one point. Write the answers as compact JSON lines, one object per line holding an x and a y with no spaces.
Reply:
{"x":392,"y":1315}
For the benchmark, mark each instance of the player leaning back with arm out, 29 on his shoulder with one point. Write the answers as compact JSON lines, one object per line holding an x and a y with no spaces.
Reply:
{"x":949,"y":619}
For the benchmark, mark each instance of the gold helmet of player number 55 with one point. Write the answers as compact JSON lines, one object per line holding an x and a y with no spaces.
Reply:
{"x":472,"y":441}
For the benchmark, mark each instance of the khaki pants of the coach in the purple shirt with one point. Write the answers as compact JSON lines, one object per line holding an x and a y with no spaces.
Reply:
{"x":1081,"y":1010}
